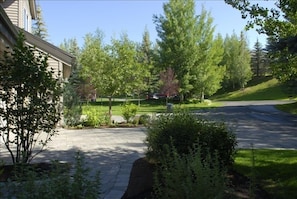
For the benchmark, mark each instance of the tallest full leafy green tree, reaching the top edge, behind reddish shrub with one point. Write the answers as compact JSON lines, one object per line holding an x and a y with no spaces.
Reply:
{"x":177,"y":30}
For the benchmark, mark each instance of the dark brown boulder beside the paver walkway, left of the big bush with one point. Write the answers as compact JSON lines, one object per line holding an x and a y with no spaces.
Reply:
{"x":140,"y":181}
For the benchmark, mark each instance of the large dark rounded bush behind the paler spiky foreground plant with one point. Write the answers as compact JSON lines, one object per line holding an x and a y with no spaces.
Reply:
{"x":186,"y":130}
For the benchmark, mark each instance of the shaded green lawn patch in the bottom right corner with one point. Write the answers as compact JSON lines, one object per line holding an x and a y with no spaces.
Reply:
{"x":274,"y":170}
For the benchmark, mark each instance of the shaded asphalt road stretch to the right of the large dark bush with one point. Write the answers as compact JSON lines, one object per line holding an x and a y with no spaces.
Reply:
{"x":258,"y":123}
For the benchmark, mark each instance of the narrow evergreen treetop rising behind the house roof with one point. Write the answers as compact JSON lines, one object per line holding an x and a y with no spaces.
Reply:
{"x":39,"y":28}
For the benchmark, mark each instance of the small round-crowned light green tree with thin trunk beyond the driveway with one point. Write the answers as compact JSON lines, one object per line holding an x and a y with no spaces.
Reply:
{"x":112,"y":69}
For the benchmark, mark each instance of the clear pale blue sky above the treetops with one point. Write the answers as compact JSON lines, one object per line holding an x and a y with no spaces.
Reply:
{"x":67,"y":19}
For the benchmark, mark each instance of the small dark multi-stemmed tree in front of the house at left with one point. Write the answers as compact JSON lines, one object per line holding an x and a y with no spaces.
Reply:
{"x":30,"y":99}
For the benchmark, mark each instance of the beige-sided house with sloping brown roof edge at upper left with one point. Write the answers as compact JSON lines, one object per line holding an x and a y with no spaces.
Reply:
{"x":17,"y":15}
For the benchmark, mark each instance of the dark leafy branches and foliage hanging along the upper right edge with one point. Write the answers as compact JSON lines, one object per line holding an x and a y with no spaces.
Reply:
{"x":279,"y":24}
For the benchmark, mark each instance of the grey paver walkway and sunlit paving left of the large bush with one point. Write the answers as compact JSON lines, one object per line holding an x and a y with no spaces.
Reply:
{"x":112,"y":151}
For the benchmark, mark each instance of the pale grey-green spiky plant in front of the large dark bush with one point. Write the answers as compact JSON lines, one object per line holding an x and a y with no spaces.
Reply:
{"x":189,"y":176}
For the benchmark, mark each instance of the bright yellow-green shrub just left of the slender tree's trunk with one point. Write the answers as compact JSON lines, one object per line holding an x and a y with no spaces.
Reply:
{"x":94,"y":117}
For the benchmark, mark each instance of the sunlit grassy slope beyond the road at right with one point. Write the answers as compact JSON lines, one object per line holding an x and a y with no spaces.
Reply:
{"x":259,"y":89}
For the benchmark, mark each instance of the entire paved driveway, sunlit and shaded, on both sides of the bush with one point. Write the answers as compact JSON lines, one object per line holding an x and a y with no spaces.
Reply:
{"x":113,"y":151}
